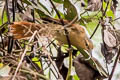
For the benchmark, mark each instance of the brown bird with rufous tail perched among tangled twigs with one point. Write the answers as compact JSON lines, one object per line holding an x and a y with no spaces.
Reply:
{"x":77,"y":34}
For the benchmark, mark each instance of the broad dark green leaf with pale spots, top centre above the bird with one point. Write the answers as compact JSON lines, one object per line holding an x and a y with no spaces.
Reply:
{"x":70,"y":10}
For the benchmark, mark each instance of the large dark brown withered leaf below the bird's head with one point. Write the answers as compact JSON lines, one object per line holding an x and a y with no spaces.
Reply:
{"x":86,"y":71}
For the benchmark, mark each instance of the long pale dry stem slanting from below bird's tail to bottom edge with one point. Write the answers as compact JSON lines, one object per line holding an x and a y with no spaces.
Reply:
{"x":22,"y":57}
